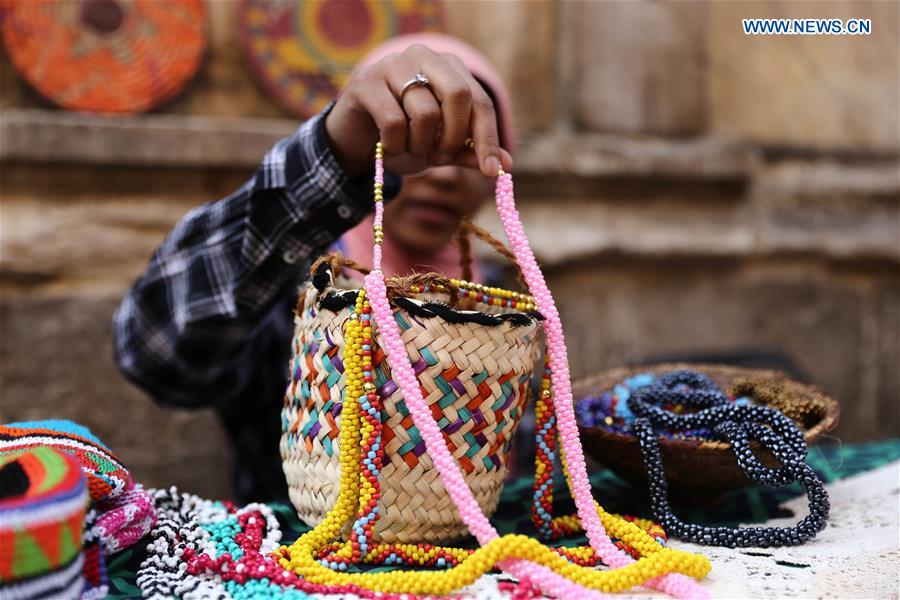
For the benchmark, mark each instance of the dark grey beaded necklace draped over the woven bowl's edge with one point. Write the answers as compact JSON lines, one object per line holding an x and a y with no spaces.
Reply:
{"x":737,"y":425}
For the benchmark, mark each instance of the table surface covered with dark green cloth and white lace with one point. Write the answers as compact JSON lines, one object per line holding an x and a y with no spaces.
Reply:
{"x":871,"y":492}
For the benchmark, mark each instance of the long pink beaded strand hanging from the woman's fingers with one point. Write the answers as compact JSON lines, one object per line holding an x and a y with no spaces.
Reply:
{"x":447,"y":469}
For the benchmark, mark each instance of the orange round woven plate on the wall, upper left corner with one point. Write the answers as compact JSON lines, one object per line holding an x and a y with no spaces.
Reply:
{"x":105,"y":56}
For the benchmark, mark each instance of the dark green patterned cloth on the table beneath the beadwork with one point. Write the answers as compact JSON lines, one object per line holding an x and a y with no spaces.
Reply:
{"x":747,"y":506}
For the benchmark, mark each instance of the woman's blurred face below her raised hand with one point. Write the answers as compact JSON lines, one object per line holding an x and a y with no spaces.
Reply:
{"x":426,"y":213}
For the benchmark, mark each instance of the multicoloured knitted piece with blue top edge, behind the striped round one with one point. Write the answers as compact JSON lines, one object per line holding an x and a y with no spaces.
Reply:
{"x":120,"y":512}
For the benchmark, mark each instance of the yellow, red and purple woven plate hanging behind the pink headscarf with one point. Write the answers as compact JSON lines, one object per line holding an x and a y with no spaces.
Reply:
{"x":302,"y":51}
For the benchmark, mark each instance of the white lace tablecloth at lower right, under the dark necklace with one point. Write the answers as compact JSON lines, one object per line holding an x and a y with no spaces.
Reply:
{"x":857,"y":556}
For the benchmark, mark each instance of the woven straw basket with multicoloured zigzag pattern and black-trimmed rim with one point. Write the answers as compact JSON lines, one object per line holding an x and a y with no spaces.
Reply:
{"x":474,"y":367}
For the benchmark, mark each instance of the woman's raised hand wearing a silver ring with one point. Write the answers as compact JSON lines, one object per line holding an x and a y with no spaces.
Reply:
{"x":427,"y":129}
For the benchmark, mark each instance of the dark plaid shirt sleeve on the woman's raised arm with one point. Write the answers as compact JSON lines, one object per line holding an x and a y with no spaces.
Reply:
{"x":189,"y":322}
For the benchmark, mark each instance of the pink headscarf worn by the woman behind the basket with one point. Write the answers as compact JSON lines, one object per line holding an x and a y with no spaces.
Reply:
{"x":357,"y":243}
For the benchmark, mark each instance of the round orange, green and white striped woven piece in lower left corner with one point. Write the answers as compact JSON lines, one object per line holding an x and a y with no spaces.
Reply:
{"x":43,"y":499}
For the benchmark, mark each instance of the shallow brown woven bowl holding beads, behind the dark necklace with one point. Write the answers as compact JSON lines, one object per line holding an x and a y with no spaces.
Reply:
{"x":694,"y":468}
